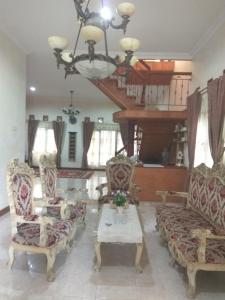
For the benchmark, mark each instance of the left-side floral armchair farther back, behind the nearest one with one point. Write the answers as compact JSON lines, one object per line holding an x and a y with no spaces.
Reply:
{"x":51,"y":195}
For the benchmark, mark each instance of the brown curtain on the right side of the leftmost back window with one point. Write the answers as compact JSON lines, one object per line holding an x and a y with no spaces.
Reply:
{"x":58,"y":128}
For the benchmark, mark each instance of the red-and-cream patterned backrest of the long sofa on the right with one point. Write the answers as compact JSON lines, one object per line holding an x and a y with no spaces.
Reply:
{"x":207,"y":193}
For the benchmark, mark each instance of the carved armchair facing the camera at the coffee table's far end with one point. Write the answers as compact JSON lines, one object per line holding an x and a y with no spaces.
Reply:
{"x":119,"y":173}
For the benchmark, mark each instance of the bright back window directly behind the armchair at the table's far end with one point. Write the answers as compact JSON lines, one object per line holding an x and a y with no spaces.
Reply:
{"x":104,"y":144}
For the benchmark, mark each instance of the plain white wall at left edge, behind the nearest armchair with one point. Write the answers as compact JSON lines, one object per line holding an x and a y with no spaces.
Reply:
{"x":12,"y":112}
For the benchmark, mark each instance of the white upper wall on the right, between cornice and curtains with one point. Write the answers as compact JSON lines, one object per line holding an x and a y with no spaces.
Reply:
{"x":209,"y":62}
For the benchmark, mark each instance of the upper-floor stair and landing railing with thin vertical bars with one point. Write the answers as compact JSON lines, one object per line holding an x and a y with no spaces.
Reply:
{"x":156,"y":96}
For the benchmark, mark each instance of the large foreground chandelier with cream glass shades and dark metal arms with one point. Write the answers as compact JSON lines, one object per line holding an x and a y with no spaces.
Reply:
{"x":93,"y":28}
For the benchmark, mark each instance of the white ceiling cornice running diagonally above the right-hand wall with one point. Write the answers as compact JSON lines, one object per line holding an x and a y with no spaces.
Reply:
{"x":220,"y":20}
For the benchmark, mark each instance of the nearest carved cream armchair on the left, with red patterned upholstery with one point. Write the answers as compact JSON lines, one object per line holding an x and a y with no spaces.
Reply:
{"x":30,"y":232}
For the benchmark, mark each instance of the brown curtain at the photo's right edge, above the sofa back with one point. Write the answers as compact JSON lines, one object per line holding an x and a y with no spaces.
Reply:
{"x":216,"y":110}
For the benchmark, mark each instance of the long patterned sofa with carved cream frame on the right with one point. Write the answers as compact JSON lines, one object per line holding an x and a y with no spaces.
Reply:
{"x":195,"y":233}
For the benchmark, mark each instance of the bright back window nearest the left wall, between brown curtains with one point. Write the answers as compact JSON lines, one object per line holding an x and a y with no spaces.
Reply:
{"x":44,"y":142}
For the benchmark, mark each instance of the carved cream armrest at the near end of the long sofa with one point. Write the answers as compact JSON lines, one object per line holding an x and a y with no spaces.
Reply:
{"x":202,"y":235}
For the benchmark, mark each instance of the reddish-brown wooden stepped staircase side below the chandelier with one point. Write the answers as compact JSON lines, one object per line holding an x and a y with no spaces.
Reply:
{"x":116,"y":93}
